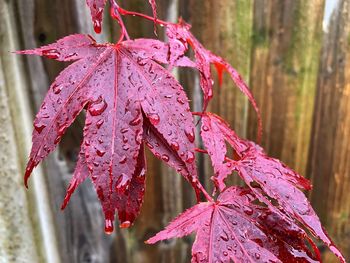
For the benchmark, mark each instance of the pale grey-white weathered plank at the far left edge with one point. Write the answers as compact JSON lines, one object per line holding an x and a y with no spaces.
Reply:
{"x":26,"y":227}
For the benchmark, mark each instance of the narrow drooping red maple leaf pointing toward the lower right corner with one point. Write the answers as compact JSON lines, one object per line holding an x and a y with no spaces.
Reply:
{"x":273,"y":178}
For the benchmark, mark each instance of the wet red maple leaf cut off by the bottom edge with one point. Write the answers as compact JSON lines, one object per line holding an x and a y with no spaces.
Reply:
{"x":235,"y":229}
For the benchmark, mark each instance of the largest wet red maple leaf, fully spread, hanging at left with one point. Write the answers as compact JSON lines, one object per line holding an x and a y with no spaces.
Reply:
{"x":129,"y":98}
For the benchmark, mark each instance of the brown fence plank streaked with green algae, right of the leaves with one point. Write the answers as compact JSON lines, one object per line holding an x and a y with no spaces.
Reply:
{"x":286,"y":39}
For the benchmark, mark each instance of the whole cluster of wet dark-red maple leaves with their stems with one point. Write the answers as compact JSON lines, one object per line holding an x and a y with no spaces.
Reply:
{"x":131,"y":102}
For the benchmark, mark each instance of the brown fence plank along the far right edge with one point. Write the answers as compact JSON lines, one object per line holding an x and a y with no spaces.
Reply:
{"x":329,"y":159}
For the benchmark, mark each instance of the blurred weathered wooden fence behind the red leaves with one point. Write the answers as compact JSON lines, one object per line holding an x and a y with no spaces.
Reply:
{"x":296,"y":58}
